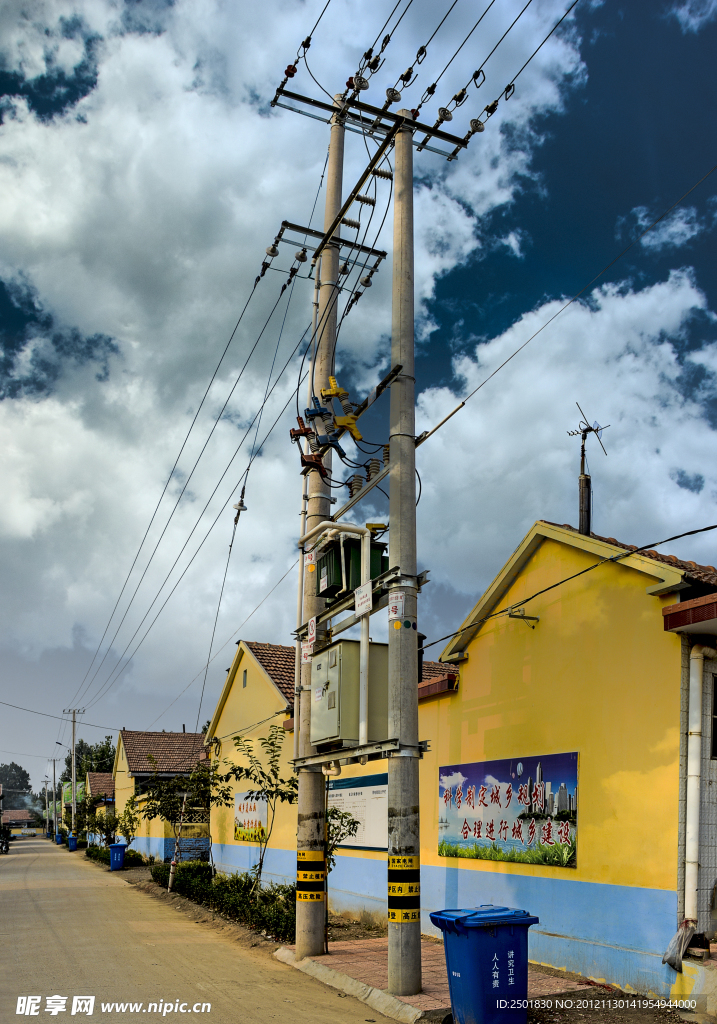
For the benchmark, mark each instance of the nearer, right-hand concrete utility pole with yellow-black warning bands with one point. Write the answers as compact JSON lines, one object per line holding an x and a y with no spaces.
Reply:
{"x":404,"y":820}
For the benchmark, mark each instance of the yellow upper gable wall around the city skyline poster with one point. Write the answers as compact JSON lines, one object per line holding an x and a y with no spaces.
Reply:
{"x":599,"y":675}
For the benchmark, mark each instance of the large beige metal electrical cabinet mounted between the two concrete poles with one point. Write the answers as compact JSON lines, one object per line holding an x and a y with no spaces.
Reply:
{"x":335,"y":695}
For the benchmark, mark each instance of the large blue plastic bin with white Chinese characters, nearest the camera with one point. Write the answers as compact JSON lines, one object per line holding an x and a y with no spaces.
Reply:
{"x":487,"y":963}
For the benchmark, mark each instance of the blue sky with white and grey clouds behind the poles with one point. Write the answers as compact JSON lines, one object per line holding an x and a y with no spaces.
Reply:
{"x":144,"y":174}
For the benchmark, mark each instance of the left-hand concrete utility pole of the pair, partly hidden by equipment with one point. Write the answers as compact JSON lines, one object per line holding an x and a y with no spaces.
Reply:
{"x":311,"y":835}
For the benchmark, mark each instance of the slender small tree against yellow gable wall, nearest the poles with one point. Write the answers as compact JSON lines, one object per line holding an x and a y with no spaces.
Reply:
{"x":267,"y":784}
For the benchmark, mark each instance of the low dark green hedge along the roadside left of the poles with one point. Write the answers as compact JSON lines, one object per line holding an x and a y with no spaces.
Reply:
{"x":269,"y":909}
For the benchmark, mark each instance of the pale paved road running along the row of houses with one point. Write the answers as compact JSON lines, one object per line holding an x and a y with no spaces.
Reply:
{"x":71,"y":928}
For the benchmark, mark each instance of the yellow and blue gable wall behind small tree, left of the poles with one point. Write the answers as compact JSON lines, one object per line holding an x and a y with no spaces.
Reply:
{"x":243,"y":707}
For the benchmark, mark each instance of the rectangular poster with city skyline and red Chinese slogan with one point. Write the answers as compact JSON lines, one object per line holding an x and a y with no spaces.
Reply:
{"x":517,"y":809}
